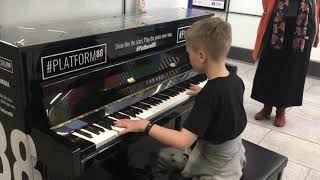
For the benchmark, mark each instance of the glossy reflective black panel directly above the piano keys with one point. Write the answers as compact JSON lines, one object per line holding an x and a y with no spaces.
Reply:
{"x":86,"y":94}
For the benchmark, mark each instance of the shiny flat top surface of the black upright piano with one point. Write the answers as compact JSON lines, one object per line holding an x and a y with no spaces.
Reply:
{"x":23,"y":35}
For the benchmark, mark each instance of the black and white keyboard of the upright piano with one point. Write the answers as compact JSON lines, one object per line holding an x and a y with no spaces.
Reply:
{"x":102,"y":131}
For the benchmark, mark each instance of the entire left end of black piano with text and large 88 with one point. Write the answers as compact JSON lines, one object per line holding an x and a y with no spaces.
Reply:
{"x":17,"y":150}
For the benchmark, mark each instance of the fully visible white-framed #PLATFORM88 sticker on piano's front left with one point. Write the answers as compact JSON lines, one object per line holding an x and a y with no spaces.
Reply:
{"x":71,"y":61}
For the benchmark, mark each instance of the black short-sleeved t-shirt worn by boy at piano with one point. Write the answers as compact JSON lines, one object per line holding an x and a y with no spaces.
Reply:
{"x":218,"y":114}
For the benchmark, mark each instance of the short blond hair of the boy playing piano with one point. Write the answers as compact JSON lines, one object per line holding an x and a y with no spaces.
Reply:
{"x":212,"y":34}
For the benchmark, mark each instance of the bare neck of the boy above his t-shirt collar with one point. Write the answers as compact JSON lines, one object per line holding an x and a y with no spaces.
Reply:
{"x":216,"y":69}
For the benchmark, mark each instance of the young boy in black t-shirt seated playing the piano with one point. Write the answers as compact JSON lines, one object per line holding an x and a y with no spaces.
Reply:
{"x":217,"y":118}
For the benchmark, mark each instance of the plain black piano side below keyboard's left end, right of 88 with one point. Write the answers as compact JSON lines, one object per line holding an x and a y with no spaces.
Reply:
{"x":54,"y":154}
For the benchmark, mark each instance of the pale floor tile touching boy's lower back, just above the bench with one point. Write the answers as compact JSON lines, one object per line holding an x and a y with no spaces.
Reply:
{"x":254,"y":133}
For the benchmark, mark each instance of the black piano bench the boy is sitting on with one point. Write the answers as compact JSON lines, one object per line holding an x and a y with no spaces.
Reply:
{"x":262,"y":164}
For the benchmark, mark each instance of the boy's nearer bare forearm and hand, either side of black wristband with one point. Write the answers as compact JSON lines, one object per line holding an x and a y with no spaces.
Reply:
{"x":179,"y":139}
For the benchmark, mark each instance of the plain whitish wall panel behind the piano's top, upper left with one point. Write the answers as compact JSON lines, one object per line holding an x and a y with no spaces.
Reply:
{"x":14,"y":12}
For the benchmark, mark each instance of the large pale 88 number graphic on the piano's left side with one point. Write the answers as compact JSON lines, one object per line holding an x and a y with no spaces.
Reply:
{"x":21,"y":165}
